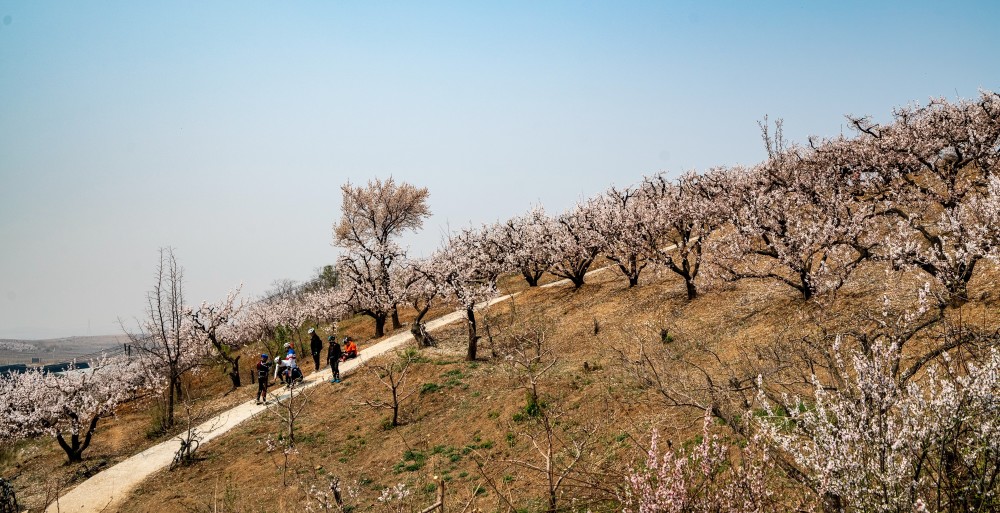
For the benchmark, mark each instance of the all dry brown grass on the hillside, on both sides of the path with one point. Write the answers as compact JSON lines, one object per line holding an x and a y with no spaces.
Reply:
{"x":467,"y":411}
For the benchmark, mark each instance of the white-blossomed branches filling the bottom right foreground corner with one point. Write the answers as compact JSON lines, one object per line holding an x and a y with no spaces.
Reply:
{"x":880,"y":444}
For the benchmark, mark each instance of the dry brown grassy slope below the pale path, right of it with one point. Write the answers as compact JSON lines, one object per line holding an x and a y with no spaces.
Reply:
{"x":471,"y":409}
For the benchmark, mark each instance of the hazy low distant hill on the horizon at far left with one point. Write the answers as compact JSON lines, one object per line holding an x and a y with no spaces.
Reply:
{"x":56,"y":350}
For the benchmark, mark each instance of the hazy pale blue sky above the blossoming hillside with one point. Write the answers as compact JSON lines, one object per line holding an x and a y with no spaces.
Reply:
{"x":224,"y":129}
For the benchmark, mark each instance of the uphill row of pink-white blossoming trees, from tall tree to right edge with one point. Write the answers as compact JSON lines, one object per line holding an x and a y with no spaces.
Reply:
{"x":921,"y":192}
